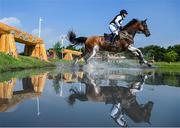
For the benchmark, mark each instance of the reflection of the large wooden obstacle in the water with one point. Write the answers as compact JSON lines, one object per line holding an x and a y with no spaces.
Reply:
{"x":32,"y":87}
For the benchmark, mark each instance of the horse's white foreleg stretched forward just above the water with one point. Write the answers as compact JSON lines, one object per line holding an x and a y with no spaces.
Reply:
{"x":138,"y":53}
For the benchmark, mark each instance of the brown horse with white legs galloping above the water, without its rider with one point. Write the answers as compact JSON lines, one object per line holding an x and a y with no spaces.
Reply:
{"x":124,"y":43}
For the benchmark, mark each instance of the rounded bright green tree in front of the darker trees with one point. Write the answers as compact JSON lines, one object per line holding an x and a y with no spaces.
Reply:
{"x":170,"y":56}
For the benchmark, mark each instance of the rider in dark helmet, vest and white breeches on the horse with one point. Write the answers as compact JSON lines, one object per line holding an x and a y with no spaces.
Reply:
{"x":116,"y":24}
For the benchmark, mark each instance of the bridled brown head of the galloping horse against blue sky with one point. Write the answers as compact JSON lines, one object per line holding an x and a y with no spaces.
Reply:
{"x":142,"y":27}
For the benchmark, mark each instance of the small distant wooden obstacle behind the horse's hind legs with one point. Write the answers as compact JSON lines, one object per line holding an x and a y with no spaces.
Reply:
{"x":70,"y":53}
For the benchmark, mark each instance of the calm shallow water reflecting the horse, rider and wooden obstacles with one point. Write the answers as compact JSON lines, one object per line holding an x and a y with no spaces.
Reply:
{"x":77,"y":96}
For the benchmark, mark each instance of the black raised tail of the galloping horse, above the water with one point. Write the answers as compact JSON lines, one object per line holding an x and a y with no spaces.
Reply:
{"x":76,"y":41}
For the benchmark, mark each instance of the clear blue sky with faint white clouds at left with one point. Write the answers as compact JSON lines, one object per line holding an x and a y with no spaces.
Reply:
{"x":91,"y":17}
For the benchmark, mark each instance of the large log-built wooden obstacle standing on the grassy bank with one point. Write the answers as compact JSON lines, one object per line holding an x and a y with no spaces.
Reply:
{"x":33,"y":46}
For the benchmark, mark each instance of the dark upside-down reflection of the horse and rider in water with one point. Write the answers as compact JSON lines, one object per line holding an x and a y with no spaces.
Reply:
{"x":123,"y":99}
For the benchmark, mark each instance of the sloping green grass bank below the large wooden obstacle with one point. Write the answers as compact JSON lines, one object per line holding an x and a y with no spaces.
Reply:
{"x":8,"y":63}
